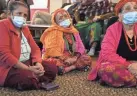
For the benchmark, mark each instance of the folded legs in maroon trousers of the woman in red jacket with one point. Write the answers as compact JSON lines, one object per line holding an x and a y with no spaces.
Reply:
{"x":24,"y":79}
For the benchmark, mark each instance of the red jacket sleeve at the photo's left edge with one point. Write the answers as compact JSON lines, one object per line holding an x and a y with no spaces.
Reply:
{"x":5,"y":52}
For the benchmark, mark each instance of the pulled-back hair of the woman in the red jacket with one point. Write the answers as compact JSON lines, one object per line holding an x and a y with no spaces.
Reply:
{"x":15,"y":4}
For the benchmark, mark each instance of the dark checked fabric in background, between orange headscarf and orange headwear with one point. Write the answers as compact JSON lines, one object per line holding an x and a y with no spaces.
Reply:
{"x":91,"y":8}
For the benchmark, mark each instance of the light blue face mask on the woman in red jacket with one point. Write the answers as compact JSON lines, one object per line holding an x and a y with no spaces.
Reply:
{"x":18,"y":21}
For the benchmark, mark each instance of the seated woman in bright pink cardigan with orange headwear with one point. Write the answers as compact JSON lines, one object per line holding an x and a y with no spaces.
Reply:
{"x":117,"y":62}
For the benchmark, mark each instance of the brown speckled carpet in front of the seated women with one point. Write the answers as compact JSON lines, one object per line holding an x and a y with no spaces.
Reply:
{"x":74,"y":84}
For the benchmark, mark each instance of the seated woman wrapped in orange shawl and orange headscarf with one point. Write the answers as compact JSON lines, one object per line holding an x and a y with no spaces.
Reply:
{"x":63,"y":44}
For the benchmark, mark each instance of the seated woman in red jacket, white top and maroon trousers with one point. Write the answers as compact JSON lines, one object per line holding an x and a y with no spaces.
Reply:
{"x":20,"y":58}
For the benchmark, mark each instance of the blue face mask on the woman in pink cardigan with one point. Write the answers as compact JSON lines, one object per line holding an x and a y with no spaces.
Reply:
{"x":130,"y":18}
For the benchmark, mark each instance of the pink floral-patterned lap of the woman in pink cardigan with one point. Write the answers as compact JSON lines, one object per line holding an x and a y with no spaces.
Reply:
{"x":116,"y":75}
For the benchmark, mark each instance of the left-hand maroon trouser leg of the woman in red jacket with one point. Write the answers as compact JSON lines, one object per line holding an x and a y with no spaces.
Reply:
{"x":21,"y":79}
